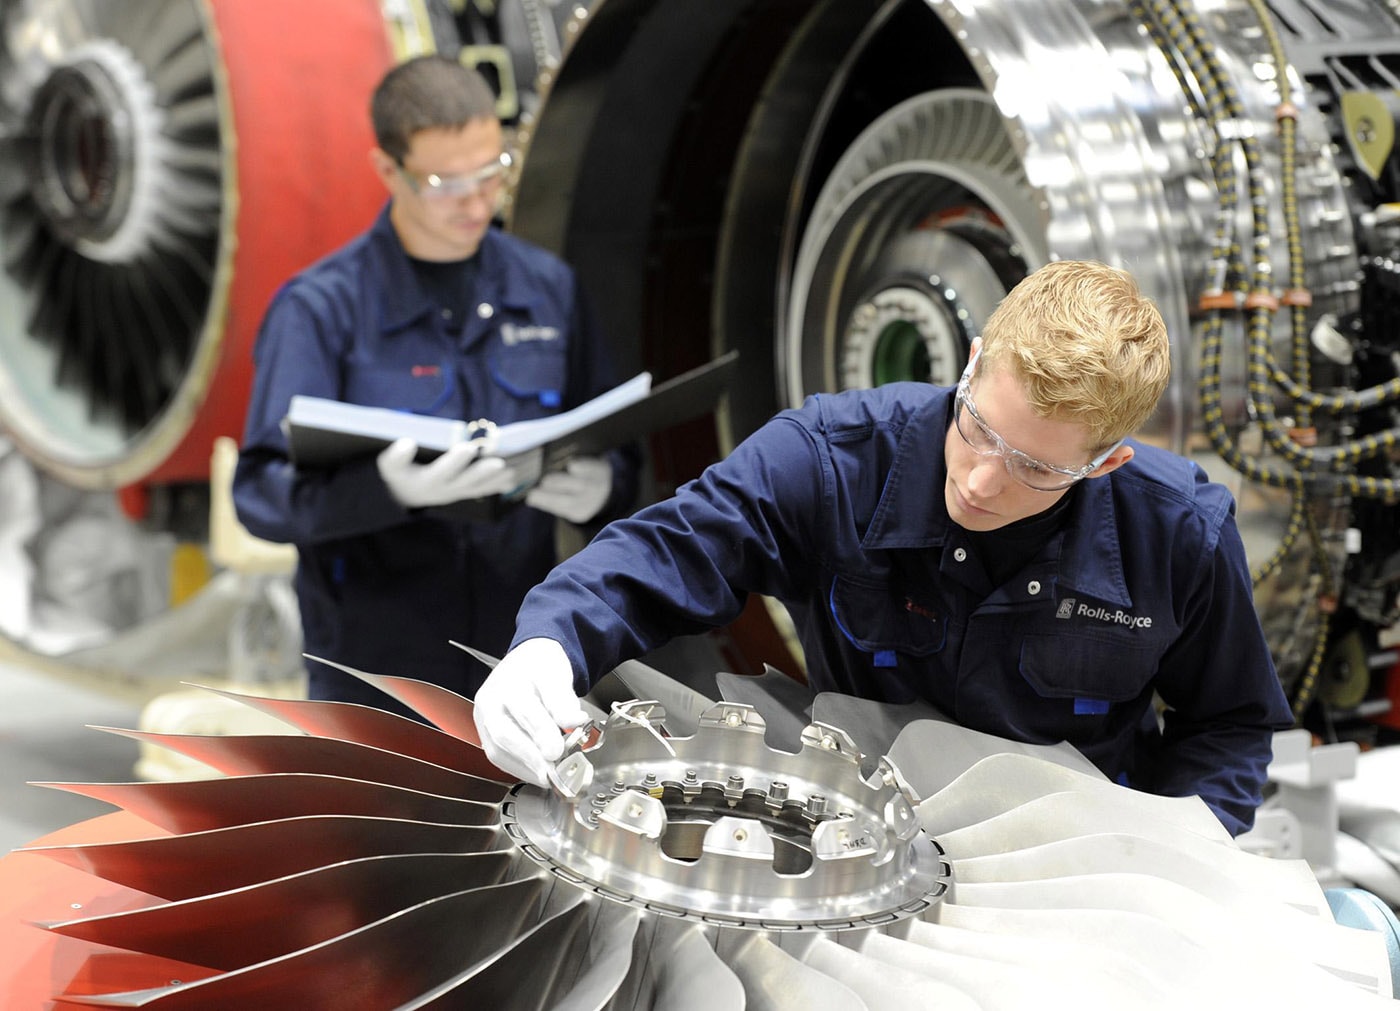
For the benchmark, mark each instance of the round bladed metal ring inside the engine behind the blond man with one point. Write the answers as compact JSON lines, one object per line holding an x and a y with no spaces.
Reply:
{"x":930,"y":200}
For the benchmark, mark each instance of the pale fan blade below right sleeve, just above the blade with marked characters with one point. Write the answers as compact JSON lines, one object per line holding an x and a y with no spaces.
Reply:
{"x":1004,"y":782}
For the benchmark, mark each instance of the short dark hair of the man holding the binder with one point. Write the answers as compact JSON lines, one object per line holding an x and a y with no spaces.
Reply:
{"x":428,"y":93}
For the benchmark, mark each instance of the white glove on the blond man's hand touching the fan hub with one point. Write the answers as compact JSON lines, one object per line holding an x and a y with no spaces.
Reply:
{"x":524,"y":705}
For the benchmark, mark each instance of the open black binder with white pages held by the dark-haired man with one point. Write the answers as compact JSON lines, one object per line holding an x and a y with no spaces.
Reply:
{"x":327,"y":433}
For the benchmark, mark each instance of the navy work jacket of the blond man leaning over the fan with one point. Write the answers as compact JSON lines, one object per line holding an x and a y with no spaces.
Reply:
{"x":838,"y":510}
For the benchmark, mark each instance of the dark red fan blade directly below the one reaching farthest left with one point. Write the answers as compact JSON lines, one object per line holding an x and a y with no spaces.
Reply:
{"x":241,"y":928}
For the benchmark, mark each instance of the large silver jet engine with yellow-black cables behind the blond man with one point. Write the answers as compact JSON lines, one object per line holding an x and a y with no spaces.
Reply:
{"x":843,"y":191}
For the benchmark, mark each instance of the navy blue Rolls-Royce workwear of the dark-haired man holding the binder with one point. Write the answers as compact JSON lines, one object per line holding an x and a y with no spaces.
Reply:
{"x":380,"y":587}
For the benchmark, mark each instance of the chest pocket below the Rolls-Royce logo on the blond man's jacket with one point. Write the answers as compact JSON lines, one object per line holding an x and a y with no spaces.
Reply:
{"x":1088,"y":670}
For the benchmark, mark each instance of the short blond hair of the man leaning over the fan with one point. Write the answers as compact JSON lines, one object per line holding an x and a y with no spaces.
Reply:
{"x":1088,"y":347}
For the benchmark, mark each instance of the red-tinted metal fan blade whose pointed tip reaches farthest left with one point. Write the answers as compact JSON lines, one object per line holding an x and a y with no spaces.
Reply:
{"x":202,"y":863}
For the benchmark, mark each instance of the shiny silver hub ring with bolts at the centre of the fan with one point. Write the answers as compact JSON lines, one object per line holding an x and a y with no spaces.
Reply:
{"x":724,"y":830}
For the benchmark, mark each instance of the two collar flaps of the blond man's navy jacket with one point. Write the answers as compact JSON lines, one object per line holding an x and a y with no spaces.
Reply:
{"x":912,"y":512}
